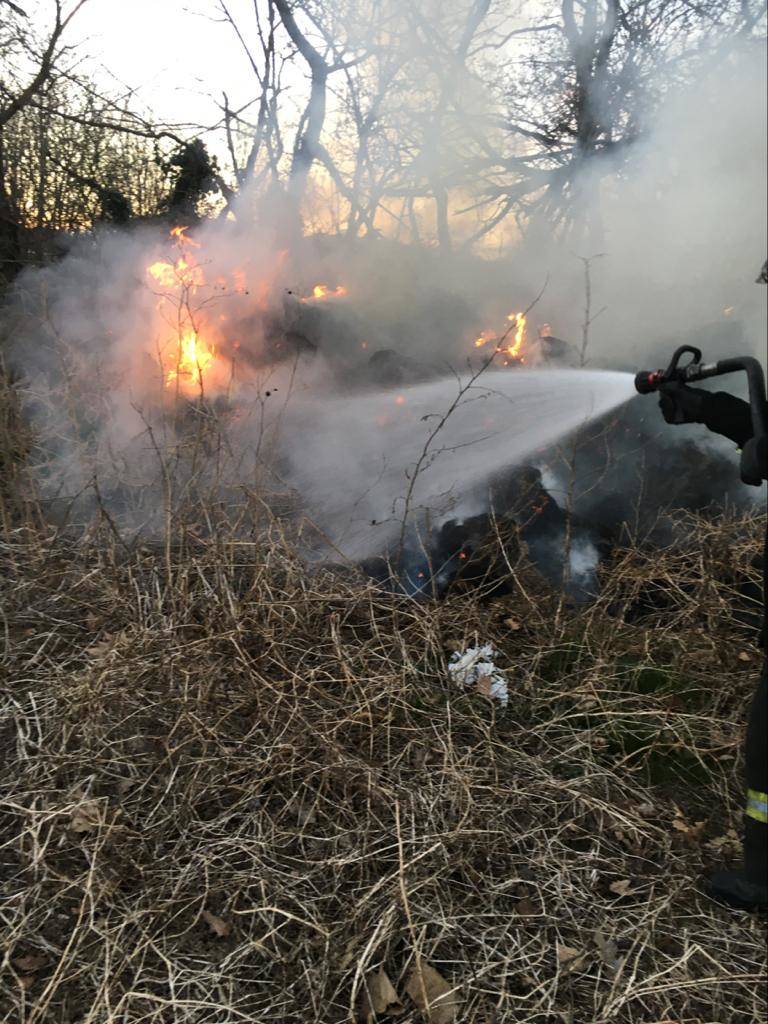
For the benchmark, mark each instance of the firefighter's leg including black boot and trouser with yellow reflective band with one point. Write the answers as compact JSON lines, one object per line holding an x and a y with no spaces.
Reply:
{"x":749,"y":887}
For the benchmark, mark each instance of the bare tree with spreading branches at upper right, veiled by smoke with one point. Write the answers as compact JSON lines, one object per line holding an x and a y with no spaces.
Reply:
{"x":592,"y":78}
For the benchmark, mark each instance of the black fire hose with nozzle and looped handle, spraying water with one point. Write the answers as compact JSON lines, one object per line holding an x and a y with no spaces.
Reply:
{"x":651,"y":380}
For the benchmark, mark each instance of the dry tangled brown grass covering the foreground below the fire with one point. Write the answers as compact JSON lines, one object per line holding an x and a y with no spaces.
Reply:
{"x":234,"y":790}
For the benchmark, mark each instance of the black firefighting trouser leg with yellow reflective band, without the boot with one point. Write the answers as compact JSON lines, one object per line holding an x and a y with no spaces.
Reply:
{"x":756,"y":822}
